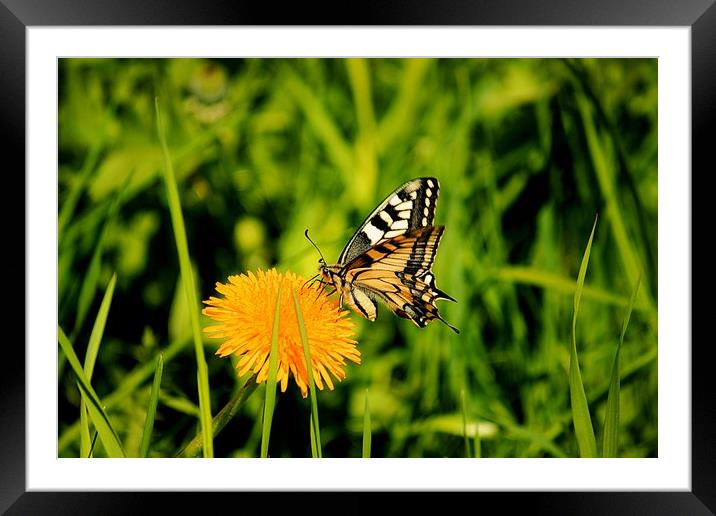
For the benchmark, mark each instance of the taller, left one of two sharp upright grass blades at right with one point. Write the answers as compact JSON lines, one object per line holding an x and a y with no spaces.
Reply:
{"x":580,"y":409}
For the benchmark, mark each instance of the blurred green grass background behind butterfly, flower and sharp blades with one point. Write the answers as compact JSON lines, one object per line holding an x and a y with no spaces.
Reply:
{"x":527,"y":151}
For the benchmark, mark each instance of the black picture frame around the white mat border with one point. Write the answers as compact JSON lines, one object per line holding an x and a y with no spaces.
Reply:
{"x":17,"y":15}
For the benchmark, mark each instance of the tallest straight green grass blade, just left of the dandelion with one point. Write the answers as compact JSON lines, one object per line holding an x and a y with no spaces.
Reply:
{"x":202,"y":374}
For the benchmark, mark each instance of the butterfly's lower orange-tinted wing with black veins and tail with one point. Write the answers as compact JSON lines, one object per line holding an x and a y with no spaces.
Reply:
{"x":399,"y":273}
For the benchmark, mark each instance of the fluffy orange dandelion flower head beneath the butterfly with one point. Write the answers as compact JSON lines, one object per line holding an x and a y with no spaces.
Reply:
{"x":245,"y":319}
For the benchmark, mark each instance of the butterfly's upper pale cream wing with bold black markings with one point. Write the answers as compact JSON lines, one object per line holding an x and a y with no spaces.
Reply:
{"x":410,"y":206}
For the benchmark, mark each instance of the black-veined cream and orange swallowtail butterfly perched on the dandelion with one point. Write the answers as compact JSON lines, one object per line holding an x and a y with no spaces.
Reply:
{"x":390,"y":257}
